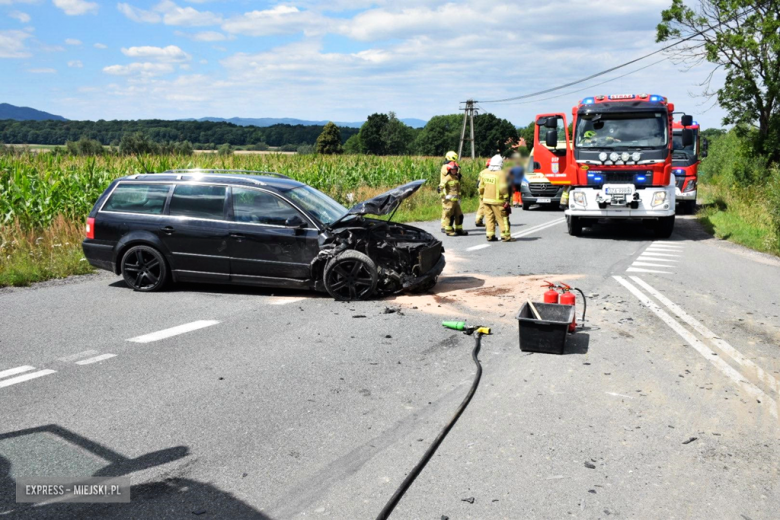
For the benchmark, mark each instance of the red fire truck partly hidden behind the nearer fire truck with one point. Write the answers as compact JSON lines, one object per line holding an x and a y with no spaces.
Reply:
{"x":685,"y":165}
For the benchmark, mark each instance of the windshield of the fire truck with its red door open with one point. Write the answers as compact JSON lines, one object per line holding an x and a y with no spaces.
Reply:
{"x":639,"y":130}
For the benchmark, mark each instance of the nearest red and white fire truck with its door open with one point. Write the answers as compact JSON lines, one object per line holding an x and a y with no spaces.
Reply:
{"x":618,"y":159}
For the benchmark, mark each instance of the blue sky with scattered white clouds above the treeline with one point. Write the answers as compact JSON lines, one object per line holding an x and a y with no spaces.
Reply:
{"x":339,"y":60}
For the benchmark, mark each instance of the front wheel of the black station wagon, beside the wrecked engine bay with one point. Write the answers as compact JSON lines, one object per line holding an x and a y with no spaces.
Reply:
{"x":350,"y":276}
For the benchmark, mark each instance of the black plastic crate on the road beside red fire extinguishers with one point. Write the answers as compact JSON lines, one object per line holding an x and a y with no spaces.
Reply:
{"x":549,"y":334}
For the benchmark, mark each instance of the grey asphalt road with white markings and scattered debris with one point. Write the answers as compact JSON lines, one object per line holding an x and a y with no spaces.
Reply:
{"x":275,"y":405}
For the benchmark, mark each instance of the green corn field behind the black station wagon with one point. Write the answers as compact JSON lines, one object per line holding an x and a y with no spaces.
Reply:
{"x":37,"y":188}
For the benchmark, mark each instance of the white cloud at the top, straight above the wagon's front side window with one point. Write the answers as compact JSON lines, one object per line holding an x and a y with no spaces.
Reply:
{"x":282,"y":19}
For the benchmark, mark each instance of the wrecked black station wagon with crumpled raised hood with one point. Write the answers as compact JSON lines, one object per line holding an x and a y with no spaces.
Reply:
{"x":260,"y":229}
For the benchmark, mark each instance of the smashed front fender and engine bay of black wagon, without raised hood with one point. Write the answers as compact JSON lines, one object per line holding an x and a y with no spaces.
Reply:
{"x":406,"y":257}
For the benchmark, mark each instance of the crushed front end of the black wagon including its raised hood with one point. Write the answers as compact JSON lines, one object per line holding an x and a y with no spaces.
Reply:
{"x":405,"y":258}
